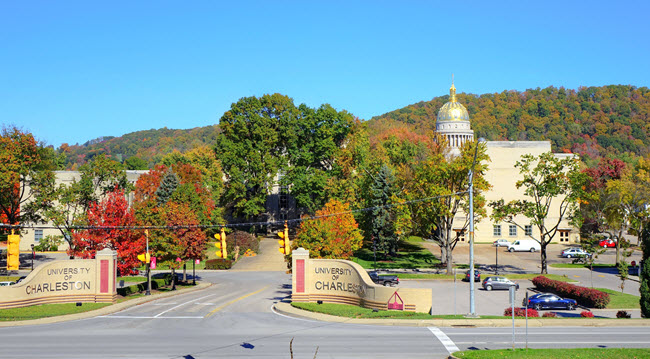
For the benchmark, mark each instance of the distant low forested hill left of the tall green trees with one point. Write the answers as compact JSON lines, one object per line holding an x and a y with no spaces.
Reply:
{"x":149,"y":145}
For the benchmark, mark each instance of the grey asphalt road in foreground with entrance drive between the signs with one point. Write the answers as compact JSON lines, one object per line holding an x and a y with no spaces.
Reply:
{"x":234,"y":319}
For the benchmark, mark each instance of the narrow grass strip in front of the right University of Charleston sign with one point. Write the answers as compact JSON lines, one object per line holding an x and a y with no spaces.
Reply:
{"x":352,"y":311}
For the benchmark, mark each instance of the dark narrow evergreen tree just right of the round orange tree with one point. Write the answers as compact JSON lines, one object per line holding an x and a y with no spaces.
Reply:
{"x":382,"y":222}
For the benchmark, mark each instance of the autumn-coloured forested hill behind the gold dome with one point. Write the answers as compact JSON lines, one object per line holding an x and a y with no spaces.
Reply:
{"x":592,"y":121}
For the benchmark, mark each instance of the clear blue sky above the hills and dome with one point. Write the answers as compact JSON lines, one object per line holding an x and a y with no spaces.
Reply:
{"x":74,"y":71}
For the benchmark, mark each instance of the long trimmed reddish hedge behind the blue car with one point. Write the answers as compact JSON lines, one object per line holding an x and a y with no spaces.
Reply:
{"x":588,"y":297}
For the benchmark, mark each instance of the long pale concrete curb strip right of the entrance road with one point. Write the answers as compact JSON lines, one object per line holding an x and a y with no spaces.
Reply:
{"x":287,"y":309}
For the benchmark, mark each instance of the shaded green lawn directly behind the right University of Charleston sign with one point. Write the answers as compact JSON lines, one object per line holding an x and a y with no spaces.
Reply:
{"x":411,"y":254}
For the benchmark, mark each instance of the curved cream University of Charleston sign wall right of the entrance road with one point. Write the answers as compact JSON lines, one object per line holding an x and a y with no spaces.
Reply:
{"x":346,"y":282}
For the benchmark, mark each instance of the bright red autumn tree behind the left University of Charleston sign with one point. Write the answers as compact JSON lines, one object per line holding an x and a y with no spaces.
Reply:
{"x":110,"y":223}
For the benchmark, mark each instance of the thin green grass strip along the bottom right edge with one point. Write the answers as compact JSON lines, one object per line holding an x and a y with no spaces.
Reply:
{"x":588,"y":353}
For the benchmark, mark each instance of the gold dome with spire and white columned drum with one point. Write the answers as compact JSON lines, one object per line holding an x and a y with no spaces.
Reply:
{"x":453,"y":123}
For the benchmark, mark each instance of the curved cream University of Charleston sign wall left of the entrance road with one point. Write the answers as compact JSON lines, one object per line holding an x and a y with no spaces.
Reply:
{"x":66,"y":281}
